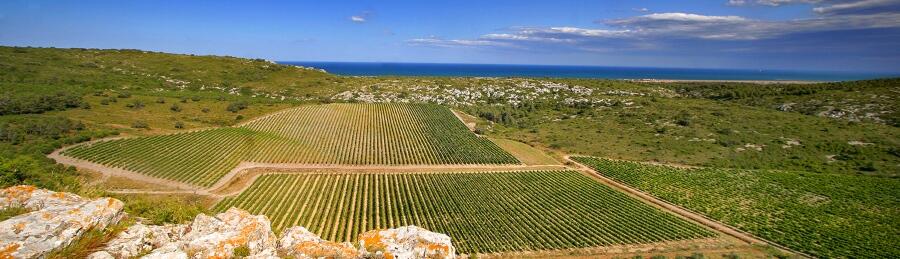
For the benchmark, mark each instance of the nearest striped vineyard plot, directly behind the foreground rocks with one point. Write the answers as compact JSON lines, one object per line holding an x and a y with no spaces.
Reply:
{"x":482,"y":212}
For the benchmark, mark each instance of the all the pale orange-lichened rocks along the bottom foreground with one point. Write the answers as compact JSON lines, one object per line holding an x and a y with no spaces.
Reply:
{"x":57,"y":219}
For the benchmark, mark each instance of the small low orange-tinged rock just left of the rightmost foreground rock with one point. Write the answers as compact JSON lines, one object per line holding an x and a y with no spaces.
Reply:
{"x":300,"y":243}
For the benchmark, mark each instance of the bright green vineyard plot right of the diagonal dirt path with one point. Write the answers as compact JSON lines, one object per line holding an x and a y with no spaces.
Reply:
{"x":825,"y":215}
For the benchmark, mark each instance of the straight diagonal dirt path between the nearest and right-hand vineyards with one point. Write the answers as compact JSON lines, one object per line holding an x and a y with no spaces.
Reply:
{"x":696,"y":217}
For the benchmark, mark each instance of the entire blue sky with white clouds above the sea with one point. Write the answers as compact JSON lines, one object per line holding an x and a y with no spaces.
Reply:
{"x":846,"y":35}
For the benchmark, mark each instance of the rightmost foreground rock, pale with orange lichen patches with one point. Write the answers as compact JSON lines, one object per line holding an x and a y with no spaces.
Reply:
{"x":406,"y":242}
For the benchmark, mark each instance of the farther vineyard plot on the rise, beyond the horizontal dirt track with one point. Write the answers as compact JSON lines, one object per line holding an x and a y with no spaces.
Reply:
{"x":355,"y":134}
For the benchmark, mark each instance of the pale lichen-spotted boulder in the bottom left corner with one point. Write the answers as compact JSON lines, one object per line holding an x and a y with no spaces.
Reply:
{"x":55,"y":220}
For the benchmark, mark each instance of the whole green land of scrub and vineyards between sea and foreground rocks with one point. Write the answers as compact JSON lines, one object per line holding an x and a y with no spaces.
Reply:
{"x":190,"y":119}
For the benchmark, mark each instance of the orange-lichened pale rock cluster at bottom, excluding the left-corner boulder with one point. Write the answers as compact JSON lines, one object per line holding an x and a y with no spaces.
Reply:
{"x":237,"y":232}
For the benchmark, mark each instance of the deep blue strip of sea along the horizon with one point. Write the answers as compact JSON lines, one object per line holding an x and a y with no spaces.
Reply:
{"x":606,"y":72}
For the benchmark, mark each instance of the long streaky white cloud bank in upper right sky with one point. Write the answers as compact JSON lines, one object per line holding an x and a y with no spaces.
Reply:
{"x":660,"y":29}
